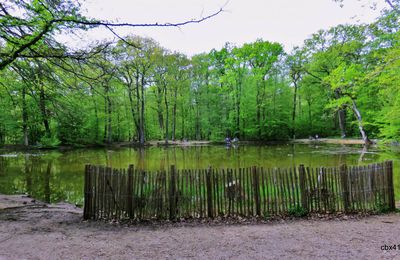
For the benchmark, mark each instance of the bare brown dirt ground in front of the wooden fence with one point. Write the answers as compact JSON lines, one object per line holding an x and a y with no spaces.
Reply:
{"x":33,"y":230}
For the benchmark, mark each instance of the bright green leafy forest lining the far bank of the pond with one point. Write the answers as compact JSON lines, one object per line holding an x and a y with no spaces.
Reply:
{"x":342,"y":82}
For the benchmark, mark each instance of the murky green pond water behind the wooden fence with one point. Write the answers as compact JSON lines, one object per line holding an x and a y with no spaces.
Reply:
{"x":55,"y":176}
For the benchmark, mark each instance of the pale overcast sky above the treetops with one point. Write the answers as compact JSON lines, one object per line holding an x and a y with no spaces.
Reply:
{"x":286,"y":21}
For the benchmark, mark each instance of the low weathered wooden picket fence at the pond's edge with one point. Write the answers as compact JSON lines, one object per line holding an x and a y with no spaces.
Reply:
{"x":137,"y":194}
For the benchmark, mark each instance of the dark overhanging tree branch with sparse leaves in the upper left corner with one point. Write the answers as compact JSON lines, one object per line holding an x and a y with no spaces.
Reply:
{"x":23,"y":35}
